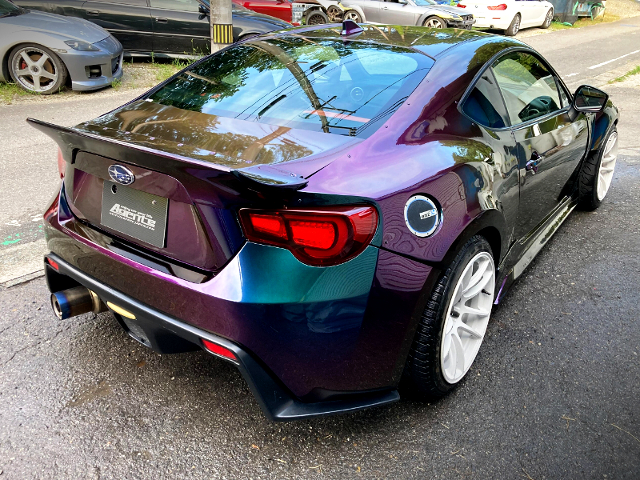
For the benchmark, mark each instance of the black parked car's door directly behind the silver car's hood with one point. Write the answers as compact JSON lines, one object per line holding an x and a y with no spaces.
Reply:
{"x":127,"y":20}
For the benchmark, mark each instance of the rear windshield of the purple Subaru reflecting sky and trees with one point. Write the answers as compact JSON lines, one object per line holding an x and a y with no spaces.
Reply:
{"x":318,"y":84}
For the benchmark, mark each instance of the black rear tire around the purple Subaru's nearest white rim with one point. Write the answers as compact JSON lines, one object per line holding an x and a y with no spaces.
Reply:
{"x":423,"y":377}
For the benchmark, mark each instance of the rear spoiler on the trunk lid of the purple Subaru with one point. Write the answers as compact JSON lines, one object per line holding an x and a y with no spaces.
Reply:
{"x":70,"y":140}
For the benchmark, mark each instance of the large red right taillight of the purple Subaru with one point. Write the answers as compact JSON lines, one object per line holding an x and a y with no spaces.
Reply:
{"x":319,"y":237}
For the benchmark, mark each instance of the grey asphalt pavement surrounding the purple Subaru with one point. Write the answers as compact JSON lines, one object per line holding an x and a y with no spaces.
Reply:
{"x":554,"y":392}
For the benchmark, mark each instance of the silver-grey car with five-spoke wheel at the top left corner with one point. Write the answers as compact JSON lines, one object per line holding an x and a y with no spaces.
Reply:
{"x":40,"y":51}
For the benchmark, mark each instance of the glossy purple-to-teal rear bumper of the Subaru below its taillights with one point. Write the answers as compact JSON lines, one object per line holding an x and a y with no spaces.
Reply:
{"x":332,"y":338}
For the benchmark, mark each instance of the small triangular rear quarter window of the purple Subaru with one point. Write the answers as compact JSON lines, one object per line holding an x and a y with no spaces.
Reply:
{"x":484,"y":104}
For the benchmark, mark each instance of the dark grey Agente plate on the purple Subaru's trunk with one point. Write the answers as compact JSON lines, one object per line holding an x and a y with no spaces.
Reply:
{"x":135,"y":213}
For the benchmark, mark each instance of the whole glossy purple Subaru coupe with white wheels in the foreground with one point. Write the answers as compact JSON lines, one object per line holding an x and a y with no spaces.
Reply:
{"x":329,"y":209}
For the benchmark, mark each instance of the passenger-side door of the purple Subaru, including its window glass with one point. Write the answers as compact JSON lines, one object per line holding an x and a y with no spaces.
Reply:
{"x":550,"y":144}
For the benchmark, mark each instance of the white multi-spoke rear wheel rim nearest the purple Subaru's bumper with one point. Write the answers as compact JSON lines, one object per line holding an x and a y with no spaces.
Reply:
{"x":467,"y":317}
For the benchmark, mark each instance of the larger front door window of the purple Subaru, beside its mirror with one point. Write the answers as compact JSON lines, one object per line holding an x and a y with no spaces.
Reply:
{"x":528,"y":87}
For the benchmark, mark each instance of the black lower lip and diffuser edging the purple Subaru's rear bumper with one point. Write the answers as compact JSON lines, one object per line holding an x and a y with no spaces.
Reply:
{"x":161,"y":332}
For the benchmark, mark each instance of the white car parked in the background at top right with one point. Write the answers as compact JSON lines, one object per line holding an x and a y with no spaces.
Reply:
{"x":509,"y":15}
